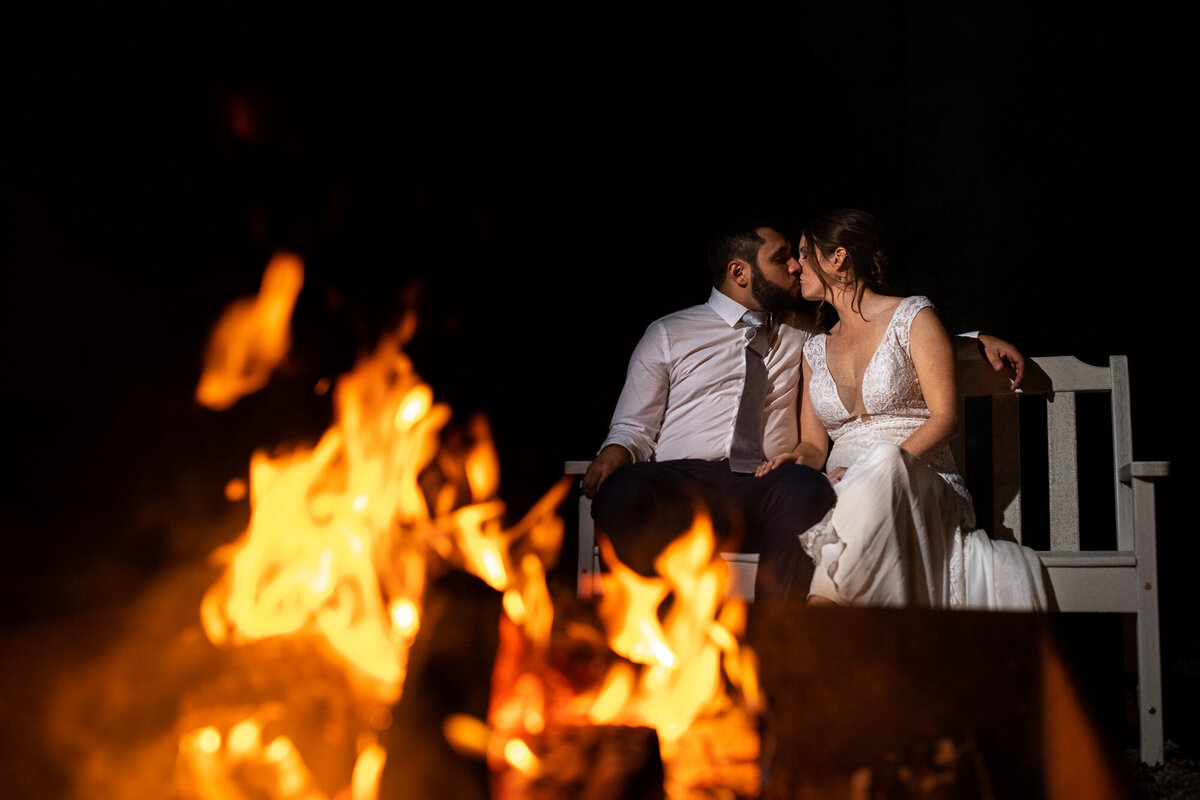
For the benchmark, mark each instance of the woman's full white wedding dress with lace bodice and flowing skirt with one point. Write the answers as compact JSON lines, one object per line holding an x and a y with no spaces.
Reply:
{"x":903,"y":531}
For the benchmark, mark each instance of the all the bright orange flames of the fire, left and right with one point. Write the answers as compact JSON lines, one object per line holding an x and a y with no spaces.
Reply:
{"x":344,"y":538}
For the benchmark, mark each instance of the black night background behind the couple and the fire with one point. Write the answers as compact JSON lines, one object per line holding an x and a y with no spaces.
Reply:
{"x":481,"y":165}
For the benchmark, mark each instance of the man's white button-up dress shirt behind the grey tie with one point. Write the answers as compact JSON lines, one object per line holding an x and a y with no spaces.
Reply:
{"x":685,"y":381}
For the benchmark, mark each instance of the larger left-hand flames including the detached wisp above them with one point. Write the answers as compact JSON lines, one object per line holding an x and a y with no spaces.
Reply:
{"x":345,"y":534}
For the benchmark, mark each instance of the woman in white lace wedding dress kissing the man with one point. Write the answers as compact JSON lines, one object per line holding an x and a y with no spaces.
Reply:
{"x":880,"y":386}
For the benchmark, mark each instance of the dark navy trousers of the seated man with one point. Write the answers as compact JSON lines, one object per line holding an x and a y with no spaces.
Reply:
{"x":641,"y":508}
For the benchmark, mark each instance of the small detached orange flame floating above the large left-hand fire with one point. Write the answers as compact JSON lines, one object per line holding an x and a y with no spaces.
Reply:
{"x":253,"y":336}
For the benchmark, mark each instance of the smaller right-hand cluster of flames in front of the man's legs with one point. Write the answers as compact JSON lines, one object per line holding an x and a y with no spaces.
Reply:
{"x":681,"y":673}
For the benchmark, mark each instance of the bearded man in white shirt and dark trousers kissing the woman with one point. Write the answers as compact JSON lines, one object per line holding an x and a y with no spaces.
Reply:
{"x":669,"y":447}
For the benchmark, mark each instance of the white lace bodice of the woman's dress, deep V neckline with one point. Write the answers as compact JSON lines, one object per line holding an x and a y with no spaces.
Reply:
{"x":891,"y":393}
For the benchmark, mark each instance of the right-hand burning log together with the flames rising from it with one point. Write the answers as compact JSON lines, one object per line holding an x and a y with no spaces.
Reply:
{"x":632,"y":697}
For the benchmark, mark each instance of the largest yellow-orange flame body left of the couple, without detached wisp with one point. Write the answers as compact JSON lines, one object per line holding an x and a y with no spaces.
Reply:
{"x":337,"y":539}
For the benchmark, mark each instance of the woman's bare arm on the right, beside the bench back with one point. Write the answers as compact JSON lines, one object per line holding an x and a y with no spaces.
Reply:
{"x":933,"y":354}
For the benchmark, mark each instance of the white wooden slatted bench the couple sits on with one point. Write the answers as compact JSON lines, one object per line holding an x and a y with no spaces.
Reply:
{"x":1120,"y":579}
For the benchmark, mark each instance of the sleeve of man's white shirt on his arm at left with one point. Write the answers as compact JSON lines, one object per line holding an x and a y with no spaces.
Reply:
{"x":643,"y":405}
